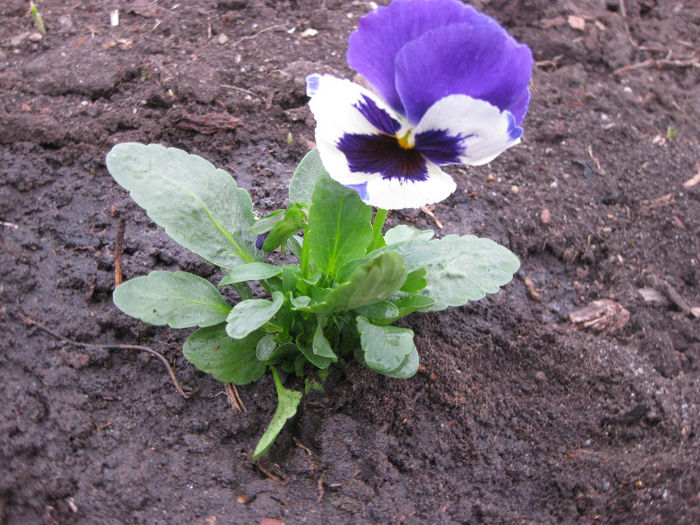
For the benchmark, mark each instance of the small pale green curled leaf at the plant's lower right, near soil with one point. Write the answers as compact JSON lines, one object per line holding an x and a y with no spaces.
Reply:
{"x":389,"y":350}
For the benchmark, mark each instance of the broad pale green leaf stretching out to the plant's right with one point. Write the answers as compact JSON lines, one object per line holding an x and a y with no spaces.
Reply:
{"x":459,"y":268}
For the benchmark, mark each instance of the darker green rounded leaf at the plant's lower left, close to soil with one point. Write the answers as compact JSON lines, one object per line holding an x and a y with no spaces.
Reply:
{"x":227,"y":360}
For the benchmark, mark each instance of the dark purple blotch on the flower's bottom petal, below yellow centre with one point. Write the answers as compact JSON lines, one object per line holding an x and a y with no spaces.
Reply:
{"x":383,"y":155}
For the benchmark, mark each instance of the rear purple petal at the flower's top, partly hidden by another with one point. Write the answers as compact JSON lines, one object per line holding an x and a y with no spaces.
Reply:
{"x":381,"y":34}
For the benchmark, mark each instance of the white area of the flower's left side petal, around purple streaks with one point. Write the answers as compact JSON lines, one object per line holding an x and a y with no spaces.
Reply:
{"x":333,"y":105}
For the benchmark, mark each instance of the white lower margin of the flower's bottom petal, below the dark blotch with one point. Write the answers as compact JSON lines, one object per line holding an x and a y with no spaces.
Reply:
{"x":394,"y":194}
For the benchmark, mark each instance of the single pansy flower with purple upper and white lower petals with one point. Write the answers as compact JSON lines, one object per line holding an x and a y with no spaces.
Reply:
{"x":450,"y":86}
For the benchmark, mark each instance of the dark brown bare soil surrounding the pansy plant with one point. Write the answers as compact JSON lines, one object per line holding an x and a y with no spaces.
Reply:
{"x":520,"y":414}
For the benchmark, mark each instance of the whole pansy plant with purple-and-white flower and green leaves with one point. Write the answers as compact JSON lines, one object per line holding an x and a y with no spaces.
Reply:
{"x":449,"y":86}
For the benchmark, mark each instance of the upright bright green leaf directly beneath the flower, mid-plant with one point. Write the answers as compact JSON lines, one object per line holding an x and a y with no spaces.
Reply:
{"x":339,"y":228}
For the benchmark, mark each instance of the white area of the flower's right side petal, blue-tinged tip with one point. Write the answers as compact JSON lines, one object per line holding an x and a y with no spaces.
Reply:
{"x":488,"y":131}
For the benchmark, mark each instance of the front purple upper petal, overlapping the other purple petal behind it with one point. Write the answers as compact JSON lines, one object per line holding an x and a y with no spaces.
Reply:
{"x":482,"y":62}
